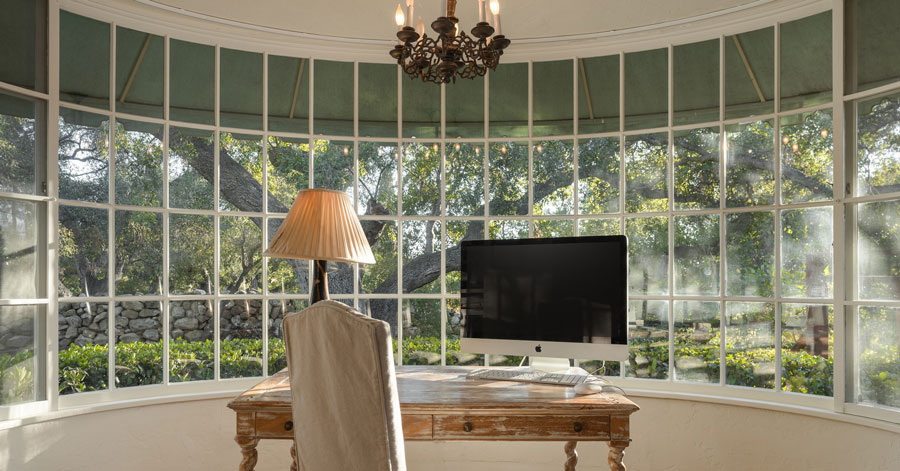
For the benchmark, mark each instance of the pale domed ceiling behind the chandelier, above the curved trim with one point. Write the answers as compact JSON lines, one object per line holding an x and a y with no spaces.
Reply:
{"x":521,"y":19}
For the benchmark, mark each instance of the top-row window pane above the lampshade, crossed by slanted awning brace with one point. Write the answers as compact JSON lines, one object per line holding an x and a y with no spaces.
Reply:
{"x":288,"y":94}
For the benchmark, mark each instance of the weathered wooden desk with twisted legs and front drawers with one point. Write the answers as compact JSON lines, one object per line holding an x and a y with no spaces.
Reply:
{"x":440,"y":403}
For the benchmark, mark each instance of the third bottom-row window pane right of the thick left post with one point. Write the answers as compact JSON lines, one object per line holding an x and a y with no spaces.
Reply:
{"x":192,"y":355}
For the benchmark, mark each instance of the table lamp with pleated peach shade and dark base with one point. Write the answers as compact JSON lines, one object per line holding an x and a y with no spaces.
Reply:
{"x":321,"y":226}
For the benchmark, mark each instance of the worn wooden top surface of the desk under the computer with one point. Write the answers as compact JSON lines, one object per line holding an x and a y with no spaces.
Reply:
{"x":446,"y":389}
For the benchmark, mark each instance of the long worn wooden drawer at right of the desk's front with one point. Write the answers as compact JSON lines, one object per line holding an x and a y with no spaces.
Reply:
{"x":535,"y":427}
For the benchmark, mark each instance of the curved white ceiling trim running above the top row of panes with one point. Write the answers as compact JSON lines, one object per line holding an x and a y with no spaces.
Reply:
{"x":152,"y":17}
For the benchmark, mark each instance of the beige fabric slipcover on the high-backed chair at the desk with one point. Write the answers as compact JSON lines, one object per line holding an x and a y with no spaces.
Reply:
{"x":343,"y":390}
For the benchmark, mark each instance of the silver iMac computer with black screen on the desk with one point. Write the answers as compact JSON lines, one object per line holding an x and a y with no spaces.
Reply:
{"x":561,"y":298}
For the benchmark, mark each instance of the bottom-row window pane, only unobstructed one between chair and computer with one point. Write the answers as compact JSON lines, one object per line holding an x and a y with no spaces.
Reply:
{"x":422,"y":332}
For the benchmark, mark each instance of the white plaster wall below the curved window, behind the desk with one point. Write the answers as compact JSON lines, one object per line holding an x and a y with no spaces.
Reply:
{"x":668,"y":435}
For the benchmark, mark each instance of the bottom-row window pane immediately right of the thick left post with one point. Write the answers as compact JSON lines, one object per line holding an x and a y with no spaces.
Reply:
{"x":83,"y":347}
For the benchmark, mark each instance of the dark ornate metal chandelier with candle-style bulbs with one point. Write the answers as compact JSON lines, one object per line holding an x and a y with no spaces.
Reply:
{"x":453,"y":53}
